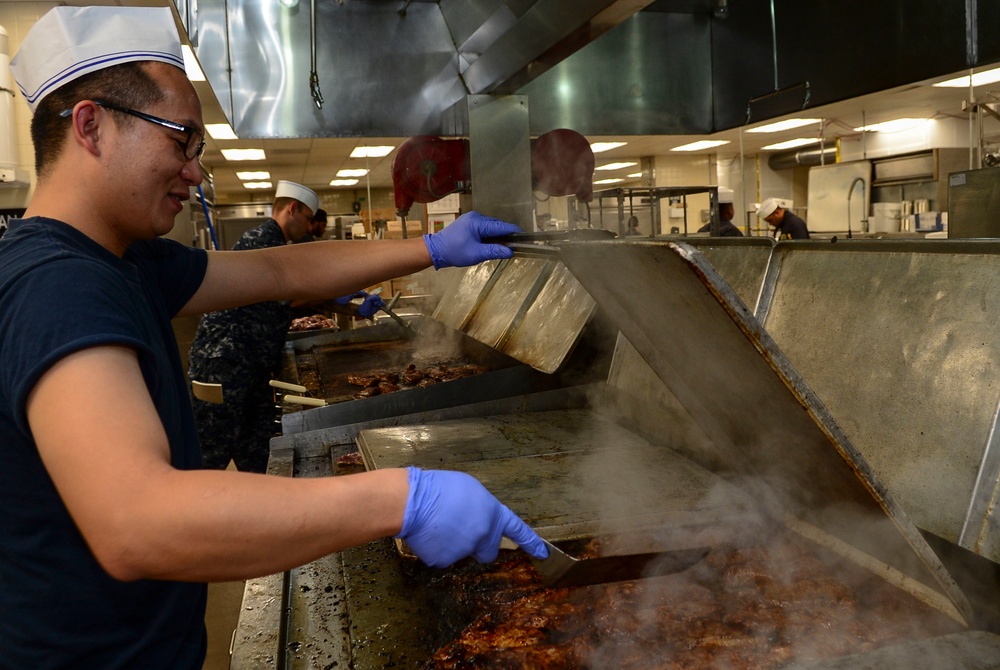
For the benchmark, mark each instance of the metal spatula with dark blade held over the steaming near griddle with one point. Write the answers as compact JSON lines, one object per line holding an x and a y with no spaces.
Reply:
{"x":560,"y":570}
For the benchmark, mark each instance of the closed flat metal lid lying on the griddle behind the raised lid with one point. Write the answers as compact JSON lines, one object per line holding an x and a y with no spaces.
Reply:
{"x":569,"y":473}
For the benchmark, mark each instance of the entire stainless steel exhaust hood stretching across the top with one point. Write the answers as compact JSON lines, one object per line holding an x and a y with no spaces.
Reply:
{"x":393,"y":68}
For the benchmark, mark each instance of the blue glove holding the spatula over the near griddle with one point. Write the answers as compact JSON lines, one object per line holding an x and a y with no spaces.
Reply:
{"x":450,"y":515}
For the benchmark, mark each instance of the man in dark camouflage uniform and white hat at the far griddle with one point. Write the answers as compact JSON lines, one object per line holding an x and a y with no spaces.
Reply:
{"x":241,"y":349}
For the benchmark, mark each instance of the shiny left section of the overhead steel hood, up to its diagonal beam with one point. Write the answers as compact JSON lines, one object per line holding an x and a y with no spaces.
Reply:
{"x":385,"y":67}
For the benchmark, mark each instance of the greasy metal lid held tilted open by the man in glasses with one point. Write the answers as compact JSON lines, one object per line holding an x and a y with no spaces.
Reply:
{"x":769,"y":429}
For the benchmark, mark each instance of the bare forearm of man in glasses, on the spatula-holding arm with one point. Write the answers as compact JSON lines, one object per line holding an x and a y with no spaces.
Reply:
{"x":220,"y":526}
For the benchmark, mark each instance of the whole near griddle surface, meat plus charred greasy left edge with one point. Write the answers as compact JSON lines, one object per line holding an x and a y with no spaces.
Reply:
{"x":770,"y":599}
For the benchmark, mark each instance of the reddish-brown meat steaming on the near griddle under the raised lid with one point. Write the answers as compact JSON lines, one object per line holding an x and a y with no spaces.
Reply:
{"x":761,"y":606}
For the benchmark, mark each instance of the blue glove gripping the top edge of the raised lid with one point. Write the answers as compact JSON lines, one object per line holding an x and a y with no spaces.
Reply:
{"x":459,"y":244}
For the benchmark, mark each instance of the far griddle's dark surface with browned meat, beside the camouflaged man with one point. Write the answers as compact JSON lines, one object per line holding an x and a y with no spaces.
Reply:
{"x":324,"y":369}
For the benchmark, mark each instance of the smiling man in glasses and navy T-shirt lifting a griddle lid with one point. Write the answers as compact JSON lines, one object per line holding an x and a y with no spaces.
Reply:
{"x":111,"y":528}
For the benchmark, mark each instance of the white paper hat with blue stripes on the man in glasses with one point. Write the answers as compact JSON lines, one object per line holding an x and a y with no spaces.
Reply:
{"x":69,"y":42}
